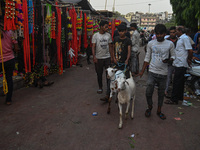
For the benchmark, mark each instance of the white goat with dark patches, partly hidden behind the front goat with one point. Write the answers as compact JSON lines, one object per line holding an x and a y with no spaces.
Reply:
{"x":113,"y":74}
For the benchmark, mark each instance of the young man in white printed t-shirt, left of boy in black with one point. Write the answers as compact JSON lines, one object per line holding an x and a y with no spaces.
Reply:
{"x":102,"y":52}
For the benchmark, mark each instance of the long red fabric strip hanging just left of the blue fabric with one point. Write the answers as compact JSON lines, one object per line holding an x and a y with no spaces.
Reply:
{"x":27,"y":60}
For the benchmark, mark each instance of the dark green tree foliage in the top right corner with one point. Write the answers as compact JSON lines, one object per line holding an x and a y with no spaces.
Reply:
{"x":187,"y":12}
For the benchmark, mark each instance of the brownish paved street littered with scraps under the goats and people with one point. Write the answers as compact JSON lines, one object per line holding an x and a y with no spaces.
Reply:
{"x":60,"y":117}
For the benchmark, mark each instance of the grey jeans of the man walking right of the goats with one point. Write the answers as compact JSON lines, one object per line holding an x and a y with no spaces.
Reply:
{"x":161,"y":82}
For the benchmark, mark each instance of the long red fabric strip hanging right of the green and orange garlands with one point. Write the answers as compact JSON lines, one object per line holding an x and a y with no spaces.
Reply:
{"x":58,"y":41}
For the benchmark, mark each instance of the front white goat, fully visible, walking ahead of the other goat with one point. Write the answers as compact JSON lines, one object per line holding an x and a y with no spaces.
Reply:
{"x":126,"y":91}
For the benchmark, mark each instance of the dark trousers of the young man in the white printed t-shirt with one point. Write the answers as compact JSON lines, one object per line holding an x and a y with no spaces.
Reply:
{"x":99,"y":66}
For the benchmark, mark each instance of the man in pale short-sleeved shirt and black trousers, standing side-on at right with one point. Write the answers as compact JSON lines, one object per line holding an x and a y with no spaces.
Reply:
{"x":183,"y":60}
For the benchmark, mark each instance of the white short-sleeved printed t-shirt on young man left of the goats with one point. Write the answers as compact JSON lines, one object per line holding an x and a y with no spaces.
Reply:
{"x":102,"y":45}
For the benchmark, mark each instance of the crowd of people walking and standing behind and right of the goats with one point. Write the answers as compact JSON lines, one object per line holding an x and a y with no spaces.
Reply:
{"x":168,"y":52}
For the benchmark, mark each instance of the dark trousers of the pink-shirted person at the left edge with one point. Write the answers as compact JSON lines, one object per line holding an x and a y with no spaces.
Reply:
{"x":9,"y":67}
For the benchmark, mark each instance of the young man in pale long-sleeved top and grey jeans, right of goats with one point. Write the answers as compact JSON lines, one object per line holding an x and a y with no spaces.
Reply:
{"x":157,"y":55}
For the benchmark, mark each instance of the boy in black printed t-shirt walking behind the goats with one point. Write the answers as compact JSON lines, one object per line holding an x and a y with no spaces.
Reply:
{"x":122,"y":50}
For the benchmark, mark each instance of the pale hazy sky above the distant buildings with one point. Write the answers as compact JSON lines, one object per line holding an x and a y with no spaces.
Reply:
{"x":126,"y":6}
